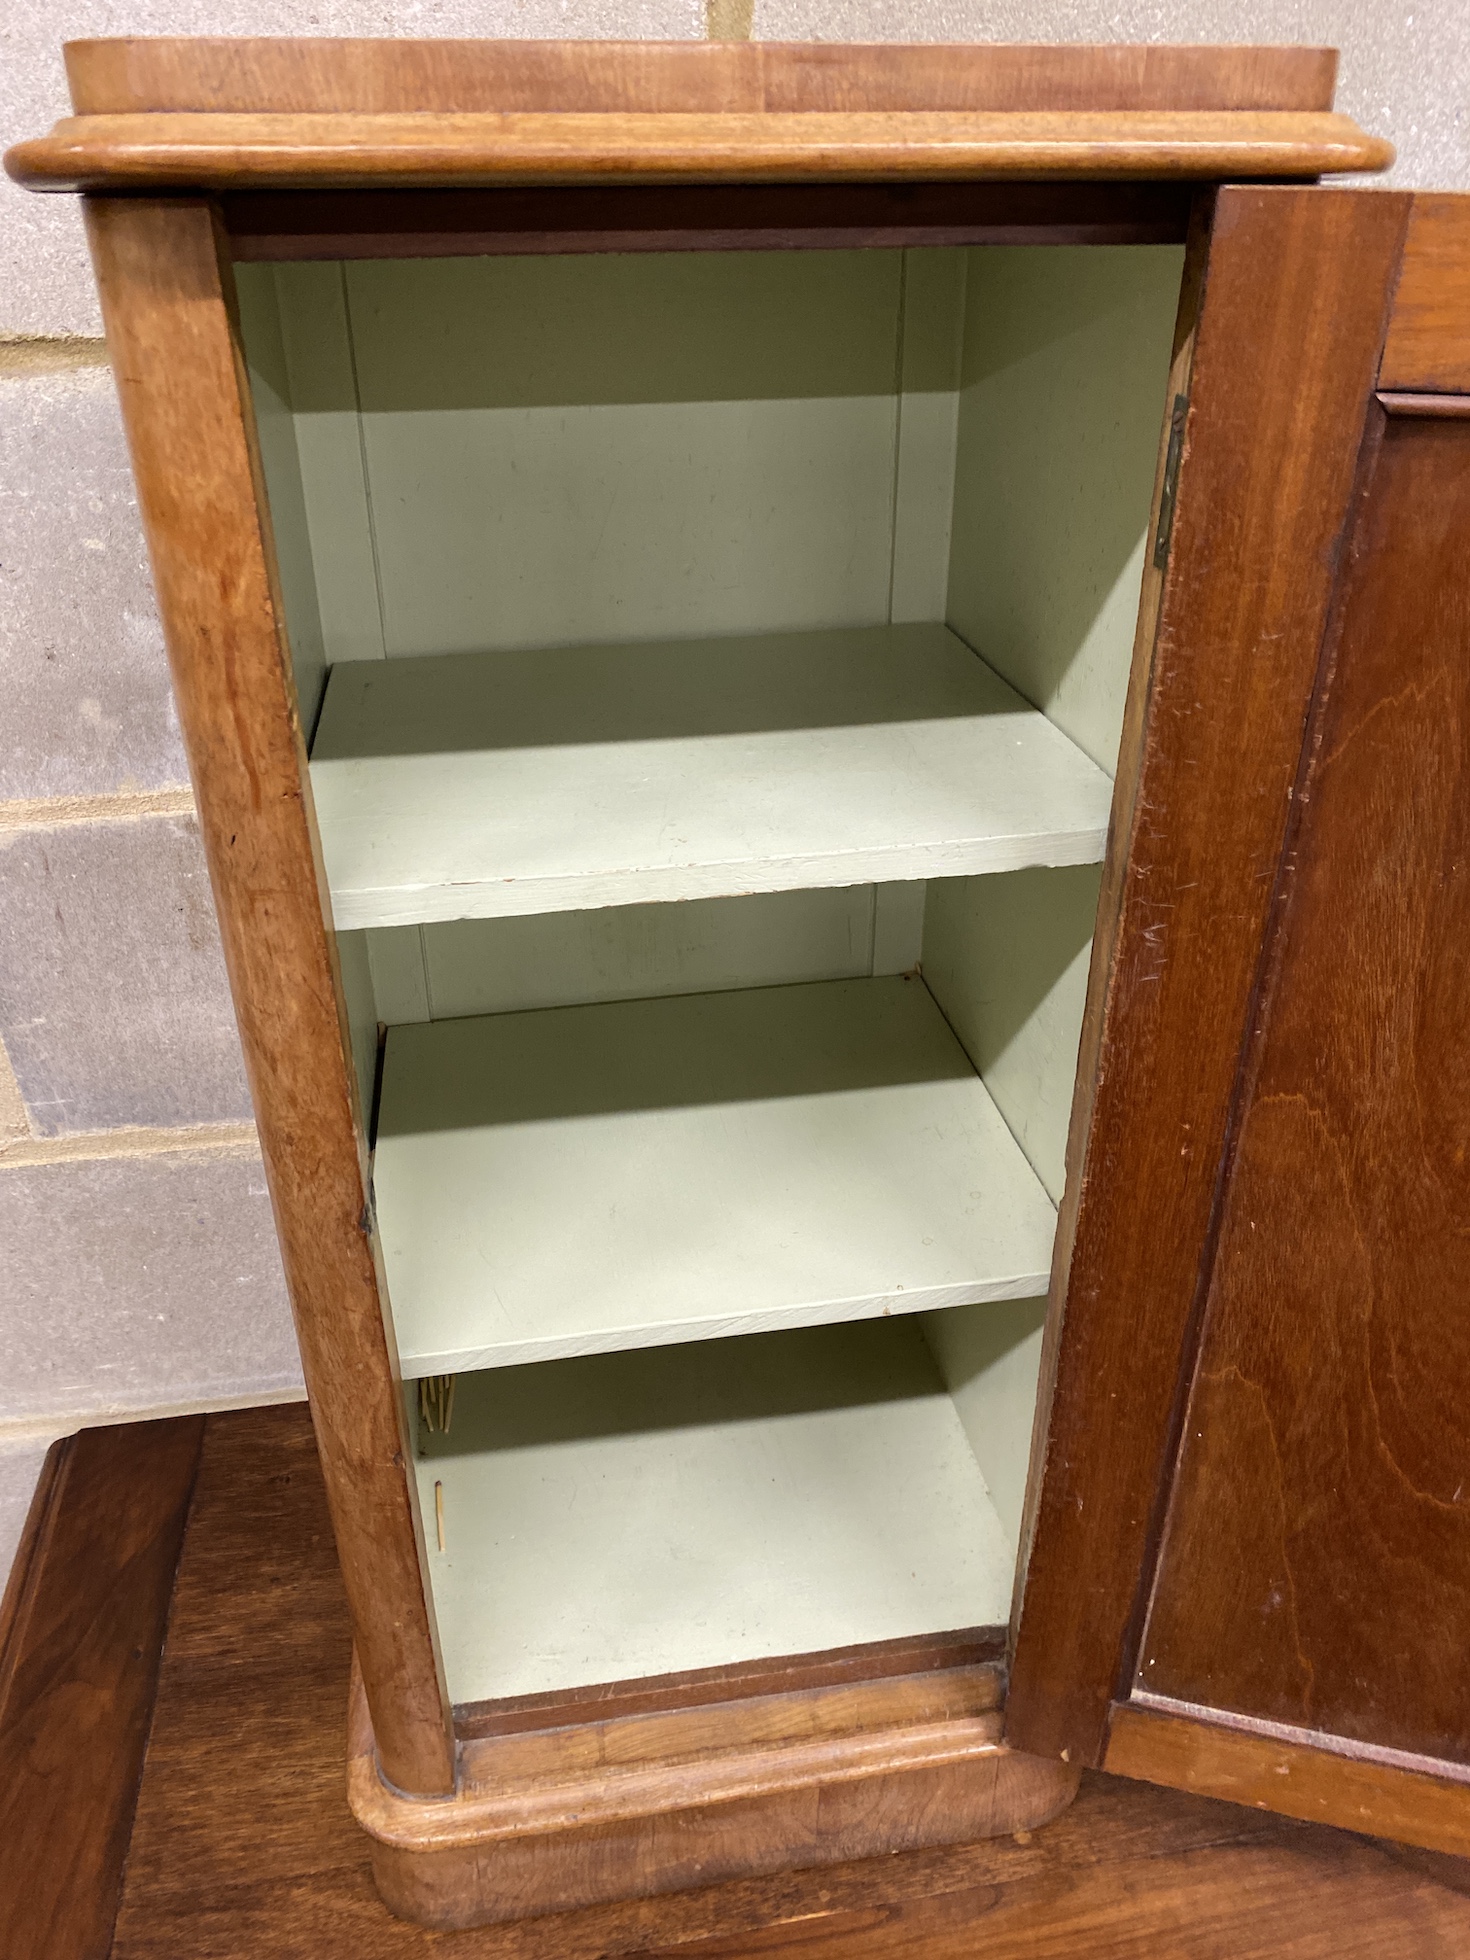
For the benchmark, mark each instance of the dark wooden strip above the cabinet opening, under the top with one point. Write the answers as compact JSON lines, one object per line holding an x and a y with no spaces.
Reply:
{"x":411,"y":224}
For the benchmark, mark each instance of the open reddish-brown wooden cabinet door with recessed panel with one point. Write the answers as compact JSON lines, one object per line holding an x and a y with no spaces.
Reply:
{"x":1248,"y":1555}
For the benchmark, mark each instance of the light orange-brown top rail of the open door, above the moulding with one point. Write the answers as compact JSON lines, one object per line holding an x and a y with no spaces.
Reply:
{"x":1430,"y":334}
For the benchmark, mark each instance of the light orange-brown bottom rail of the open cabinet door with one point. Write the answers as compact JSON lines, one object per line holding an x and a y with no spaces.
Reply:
{"x":1293,"y":1775}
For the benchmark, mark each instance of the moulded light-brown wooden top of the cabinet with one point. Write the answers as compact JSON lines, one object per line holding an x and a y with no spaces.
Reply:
{"x":220,"y":115}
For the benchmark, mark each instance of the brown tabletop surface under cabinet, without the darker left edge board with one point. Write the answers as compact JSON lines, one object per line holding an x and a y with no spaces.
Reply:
{"x":244,"y":1847}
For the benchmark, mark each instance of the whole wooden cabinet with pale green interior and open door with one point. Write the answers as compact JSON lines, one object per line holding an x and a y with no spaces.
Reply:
{"x":767,"y":548}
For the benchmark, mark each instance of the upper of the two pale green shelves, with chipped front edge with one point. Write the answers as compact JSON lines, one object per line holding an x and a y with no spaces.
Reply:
{"x":616,"y":775}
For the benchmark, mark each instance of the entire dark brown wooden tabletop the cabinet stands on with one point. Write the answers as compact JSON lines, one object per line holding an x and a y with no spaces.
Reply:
{"x":244,"y":1843}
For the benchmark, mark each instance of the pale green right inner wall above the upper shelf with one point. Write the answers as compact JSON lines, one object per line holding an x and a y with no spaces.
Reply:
{"x":1061,"y":403}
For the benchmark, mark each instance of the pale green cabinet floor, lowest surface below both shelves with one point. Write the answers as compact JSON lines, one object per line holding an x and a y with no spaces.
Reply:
{"x":642,"y":1514}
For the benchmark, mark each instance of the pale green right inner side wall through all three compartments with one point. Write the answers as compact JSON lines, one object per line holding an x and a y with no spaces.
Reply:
{"x":1061,"y":409}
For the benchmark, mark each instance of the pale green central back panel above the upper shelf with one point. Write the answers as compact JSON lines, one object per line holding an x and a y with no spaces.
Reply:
{"x":618,"y":448}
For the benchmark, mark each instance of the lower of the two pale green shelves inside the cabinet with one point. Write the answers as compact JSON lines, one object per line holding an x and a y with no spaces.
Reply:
{"x":577,"y":1181}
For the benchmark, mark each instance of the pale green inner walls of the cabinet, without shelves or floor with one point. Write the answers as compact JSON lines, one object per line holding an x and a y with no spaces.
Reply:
{"x":542,"y":452}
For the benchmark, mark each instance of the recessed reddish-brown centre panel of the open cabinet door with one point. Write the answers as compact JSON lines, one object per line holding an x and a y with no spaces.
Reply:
{"x":1316,"y":1569}
